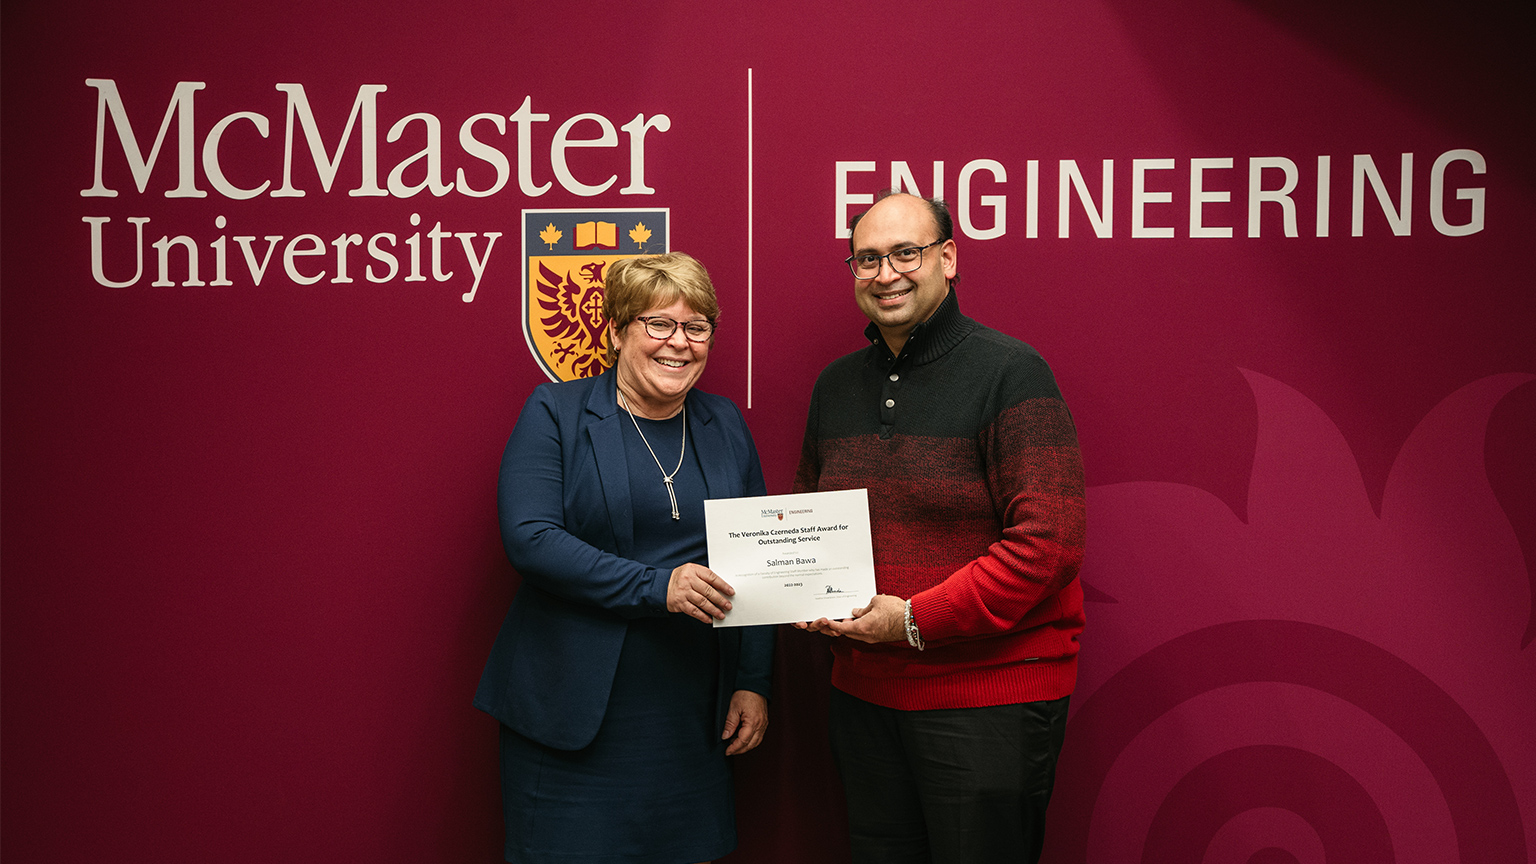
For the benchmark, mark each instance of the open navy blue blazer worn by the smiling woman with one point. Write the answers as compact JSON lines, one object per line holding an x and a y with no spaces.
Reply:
{"x":569,"y":530}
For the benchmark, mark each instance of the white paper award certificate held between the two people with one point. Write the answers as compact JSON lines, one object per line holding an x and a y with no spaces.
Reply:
{"x":792,"y":557}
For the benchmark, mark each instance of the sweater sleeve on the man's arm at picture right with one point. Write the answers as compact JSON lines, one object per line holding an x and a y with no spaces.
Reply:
{"x":1036,"y":476}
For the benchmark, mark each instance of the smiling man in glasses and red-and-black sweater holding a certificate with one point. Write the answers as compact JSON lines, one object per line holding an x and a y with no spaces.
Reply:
{"x":952,"y":686}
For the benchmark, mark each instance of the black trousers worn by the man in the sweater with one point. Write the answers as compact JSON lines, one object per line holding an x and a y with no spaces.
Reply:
{"x":950,"y":786}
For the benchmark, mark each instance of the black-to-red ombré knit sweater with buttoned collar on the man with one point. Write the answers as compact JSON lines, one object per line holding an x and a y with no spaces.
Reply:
{"x":976,"y":507}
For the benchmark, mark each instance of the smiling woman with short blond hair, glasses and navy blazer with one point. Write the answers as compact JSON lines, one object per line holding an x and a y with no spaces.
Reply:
{"x":618,"y":700}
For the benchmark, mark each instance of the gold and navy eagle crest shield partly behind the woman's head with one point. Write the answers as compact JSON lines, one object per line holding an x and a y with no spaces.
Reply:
{"x":568,"y":256}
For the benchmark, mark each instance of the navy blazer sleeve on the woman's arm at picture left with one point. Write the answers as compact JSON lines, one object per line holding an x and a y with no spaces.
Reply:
{"x":555,"y":522}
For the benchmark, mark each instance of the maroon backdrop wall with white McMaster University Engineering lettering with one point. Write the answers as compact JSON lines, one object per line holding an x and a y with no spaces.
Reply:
{"x":251,"y":563}
